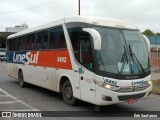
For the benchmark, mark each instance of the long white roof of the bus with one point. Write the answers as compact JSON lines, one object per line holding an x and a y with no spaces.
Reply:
{"x":101,"y":21}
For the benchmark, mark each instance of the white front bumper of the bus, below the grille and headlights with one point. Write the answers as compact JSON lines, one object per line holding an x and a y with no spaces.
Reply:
{"x":107,"y":97}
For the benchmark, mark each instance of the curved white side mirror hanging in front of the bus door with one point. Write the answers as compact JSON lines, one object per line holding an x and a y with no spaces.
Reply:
{"x":96,"y":37}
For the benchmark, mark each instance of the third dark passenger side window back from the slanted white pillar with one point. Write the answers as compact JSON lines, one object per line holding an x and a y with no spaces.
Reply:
{"x":30,"y":42}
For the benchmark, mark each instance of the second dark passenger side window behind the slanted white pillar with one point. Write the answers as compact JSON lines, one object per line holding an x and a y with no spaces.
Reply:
{"x":42,"y":40}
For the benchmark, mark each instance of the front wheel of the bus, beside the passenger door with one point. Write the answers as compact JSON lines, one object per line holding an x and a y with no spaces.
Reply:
{"x":67,"y":93}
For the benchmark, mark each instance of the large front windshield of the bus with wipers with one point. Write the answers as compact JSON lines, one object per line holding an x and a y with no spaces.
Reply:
{"x":123,"y":52}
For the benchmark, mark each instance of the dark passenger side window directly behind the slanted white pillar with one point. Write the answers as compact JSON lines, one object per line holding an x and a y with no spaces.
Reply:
{"x":57,"y":39}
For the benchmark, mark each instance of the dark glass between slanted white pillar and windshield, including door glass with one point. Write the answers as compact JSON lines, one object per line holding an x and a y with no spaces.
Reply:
{"x":81,"y":46}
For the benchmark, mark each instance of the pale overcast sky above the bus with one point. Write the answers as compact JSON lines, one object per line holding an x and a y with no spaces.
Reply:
{"x":143,"y":13}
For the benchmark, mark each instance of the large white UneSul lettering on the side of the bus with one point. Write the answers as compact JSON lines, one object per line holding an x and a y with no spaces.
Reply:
{"x":26,"y":58}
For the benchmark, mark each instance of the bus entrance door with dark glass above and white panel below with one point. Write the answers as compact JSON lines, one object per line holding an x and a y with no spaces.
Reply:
{"x":86,"y":76}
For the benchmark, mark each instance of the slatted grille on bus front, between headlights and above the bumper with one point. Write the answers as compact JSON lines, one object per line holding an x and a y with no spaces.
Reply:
{"x":132,"y":89}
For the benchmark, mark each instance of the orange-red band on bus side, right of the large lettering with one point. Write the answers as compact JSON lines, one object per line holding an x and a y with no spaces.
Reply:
{"x":53,"y":58}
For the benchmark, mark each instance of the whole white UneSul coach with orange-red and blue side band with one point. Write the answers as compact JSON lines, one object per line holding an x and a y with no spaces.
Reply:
{"x":98,"y":60}
